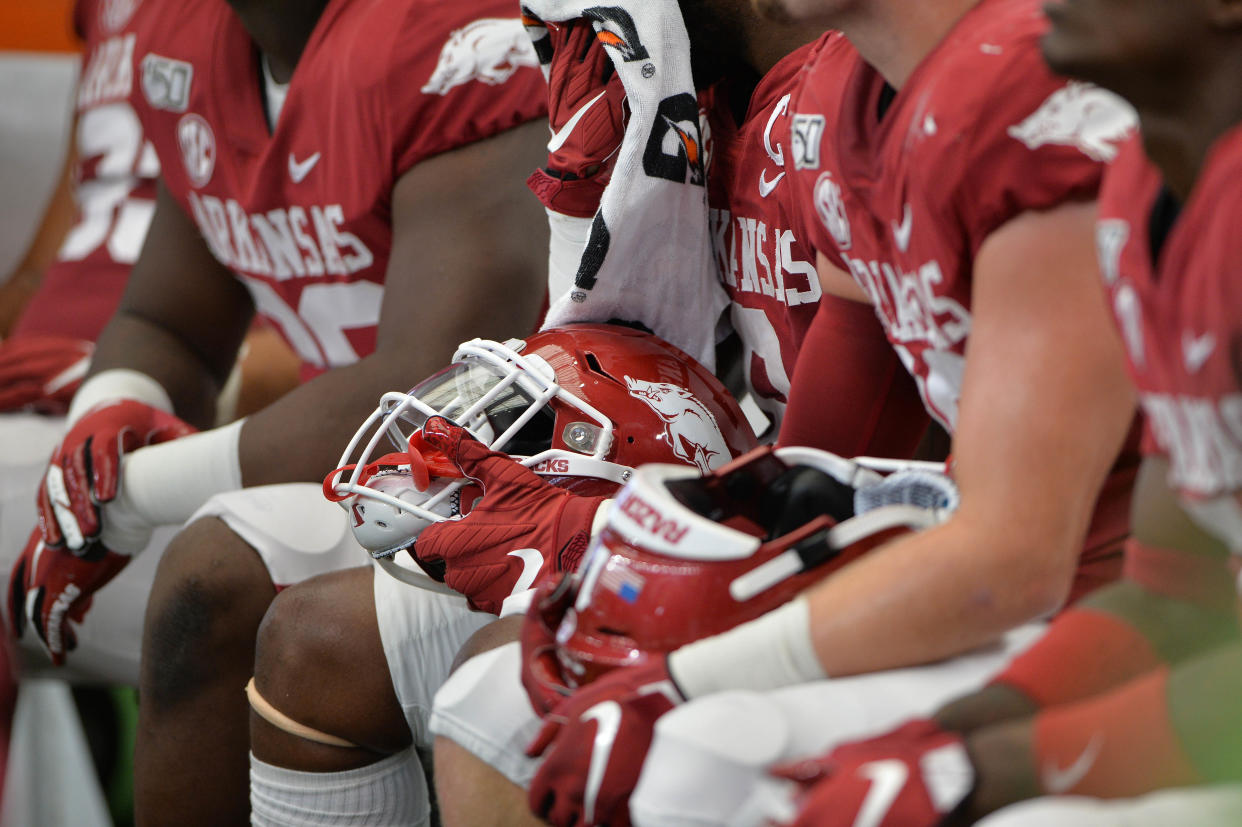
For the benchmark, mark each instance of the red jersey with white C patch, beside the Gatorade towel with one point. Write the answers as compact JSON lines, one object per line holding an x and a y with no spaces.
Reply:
{"x":767,"y":271}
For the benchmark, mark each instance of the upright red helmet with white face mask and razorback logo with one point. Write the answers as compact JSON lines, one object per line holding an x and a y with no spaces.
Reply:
{"x":581,"y":405}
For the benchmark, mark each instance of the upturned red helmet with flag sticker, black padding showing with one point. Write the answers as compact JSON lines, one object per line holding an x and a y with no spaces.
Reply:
{"x":684,"y":557}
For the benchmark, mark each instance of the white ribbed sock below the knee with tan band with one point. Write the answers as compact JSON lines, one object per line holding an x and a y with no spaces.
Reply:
{"x":393,"y":792}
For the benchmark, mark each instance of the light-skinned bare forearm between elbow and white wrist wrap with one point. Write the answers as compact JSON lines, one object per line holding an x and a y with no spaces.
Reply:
{"x":935,"y":595}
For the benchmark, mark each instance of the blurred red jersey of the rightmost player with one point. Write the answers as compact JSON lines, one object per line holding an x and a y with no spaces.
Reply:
{"x":1172,"y":279}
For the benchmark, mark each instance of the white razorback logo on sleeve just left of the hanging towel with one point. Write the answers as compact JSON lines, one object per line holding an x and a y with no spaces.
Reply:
{"x":489,"y":50}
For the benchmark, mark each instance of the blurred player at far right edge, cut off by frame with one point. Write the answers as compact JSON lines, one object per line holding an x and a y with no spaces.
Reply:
{"x":1136,"y":691}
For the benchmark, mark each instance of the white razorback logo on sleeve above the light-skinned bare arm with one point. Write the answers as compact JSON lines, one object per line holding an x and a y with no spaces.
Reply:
{"x":1080,"y":115}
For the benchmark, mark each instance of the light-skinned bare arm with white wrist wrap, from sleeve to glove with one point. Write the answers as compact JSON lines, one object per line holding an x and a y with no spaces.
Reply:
{"x":1044,"y":412}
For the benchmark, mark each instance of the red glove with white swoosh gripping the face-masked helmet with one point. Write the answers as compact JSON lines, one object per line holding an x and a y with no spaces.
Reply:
{"x":491,"y":553}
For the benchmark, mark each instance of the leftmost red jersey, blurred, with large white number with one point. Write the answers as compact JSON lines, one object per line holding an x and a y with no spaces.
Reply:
{"x":115,"y":184}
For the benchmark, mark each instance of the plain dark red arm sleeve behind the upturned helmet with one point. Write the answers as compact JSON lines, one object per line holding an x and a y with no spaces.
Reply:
{"x":850,"y":393}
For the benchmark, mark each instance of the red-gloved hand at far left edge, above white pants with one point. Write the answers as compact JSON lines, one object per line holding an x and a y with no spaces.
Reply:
{"x":42,"y":373}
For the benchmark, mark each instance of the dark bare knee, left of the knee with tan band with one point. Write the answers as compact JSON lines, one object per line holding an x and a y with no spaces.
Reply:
{"x":209,"y":595}
